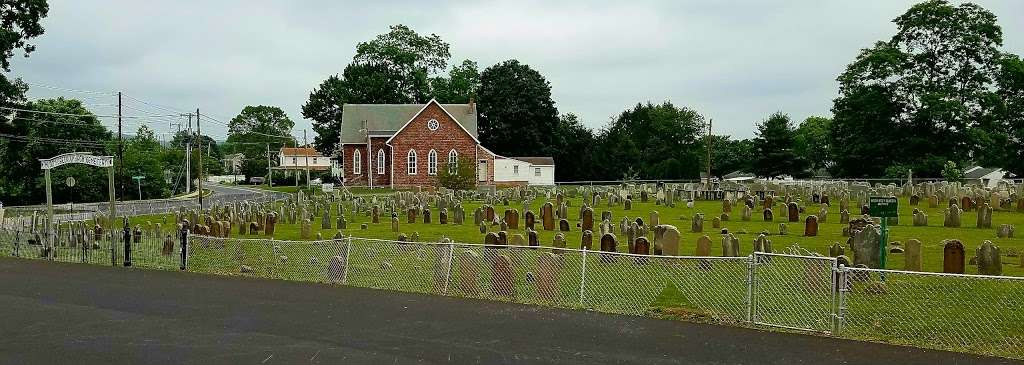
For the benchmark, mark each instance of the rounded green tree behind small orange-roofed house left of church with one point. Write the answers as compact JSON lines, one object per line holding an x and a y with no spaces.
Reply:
{"x":252,"y":131}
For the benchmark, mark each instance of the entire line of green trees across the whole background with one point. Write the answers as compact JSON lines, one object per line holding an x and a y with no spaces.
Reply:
{"x":938,"y":95}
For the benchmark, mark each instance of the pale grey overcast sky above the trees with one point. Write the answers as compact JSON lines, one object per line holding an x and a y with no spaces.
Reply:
{"x":736,"y":62}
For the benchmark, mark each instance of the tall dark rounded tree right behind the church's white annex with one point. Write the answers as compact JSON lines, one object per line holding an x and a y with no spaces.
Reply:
{"x":518,"y":115}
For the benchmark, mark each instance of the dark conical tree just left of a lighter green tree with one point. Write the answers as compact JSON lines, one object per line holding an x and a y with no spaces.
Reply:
{"x":774,"y":146}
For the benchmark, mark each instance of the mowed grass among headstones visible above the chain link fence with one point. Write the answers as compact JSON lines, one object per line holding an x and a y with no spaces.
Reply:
{"x":829,"y":233}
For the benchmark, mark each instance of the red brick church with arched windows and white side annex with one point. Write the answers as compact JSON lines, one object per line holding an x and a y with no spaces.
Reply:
{"x":405,"y":145}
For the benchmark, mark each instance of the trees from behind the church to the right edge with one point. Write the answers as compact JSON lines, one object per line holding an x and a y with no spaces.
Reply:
{"x":938,"y":92}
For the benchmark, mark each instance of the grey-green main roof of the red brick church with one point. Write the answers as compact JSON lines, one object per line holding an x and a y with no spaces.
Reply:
{"x":387,"y":119}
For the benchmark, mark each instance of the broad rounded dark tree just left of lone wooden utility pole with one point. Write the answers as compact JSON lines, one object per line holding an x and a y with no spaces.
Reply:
{"x":653,"y":142}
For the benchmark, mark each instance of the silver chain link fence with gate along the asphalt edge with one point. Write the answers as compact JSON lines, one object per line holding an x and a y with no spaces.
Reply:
{"x":966,"y":313}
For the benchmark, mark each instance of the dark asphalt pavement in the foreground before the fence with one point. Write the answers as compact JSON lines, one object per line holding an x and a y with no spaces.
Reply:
{"x":66,"y":313}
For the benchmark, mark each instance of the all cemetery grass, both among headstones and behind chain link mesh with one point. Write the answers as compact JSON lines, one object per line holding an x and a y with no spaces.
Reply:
{"x":960,"y":314}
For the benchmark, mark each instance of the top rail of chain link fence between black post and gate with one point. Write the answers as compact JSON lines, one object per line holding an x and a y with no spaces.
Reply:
{"x":271,"y":240}
